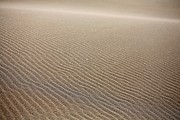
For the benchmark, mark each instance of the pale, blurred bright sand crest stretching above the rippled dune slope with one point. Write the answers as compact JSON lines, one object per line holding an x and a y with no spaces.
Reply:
{"x":91,"y":12}
